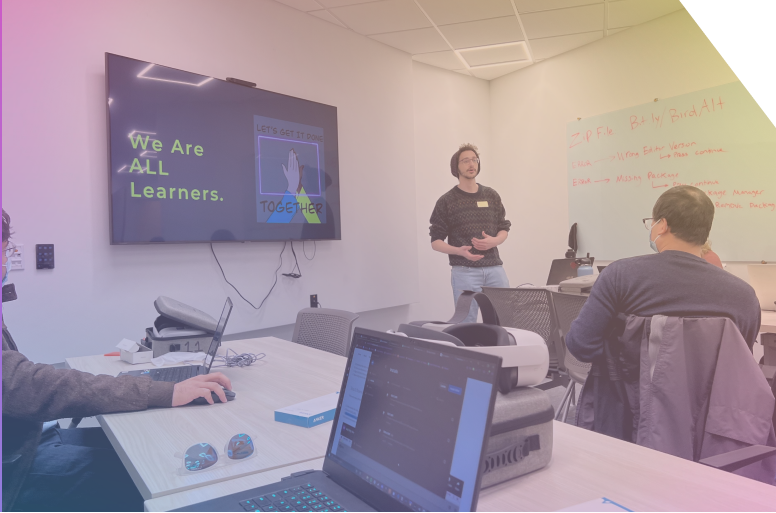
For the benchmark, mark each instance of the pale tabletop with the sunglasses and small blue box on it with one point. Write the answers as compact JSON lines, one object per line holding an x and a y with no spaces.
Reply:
{"x":151,"y":443}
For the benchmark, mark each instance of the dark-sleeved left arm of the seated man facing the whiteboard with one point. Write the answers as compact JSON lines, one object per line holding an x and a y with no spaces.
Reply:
{"x":586,"y":337}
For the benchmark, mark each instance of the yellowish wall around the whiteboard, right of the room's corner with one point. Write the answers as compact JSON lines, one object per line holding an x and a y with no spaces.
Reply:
{"x":530,"y":108}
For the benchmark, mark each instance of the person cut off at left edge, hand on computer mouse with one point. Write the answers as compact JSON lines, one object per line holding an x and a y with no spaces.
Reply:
{"x":74,"y":469}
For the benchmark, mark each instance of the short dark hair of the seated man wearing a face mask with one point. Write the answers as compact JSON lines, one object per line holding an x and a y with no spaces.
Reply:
{"x":688,"y":211}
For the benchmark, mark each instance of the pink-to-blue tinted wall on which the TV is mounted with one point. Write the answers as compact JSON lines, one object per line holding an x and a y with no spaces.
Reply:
{"x":55,"y":182}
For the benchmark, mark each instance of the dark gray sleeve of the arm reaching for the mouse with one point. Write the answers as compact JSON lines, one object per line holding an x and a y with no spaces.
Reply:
{"x":41,"y":393}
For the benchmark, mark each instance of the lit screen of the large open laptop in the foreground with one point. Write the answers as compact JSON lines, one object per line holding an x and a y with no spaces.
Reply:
{"x":413,"y":419}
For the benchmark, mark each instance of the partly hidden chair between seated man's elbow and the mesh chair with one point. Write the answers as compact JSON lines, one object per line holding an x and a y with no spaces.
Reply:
{"x":567,"y":308}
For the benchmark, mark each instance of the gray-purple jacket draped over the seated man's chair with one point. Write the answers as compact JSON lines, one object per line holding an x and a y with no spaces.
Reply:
{"x":686,"y":356}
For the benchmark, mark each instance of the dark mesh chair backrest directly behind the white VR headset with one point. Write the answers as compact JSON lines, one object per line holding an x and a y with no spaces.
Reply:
{"x":528,"y":309}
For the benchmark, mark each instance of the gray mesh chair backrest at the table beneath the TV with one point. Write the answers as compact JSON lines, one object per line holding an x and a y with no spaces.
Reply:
{"x":325,"y":329}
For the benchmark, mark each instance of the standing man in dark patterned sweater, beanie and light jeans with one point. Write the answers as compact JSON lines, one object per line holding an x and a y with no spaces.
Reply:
{"x":473,"y":220}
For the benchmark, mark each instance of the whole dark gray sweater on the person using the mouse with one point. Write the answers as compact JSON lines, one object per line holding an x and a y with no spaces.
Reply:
{"x":35,"y":393}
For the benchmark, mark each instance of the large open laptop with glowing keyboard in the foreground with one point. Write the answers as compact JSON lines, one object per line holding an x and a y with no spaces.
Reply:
{"x":409,"y":434}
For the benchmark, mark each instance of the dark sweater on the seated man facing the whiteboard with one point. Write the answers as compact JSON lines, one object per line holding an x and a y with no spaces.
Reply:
{"x":671,"y":283}
